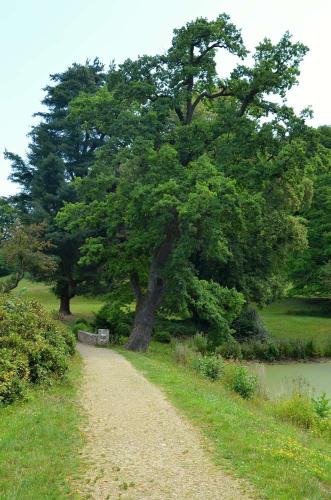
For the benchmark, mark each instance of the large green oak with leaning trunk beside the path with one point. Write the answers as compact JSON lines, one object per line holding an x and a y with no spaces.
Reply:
{"x":195,"y":197}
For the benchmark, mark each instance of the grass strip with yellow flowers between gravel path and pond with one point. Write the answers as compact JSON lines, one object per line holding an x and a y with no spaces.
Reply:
{"x":278,"y":459}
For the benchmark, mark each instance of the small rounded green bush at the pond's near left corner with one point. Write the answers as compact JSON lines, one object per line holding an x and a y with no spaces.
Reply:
{"x":238,"y":379}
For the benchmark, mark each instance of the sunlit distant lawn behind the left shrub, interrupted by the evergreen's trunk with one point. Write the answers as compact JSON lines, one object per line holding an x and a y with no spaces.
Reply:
{"x":80,"y":305}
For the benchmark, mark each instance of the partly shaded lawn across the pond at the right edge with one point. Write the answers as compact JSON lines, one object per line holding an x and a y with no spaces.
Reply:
{"x":299,"y":318}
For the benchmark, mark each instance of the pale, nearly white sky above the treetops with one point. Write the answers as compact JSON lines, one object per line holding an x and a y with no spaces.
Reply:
{"x":39,"y":37}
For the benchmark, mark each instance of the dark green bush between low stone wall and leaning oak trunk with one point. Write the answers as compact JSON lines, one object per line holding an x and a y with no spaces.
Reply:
{"x":116,"y":318}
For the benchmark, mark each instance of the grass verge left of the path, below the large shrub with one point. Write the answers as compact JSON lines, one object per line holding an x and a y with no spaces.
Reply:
{"x":39,"y":442}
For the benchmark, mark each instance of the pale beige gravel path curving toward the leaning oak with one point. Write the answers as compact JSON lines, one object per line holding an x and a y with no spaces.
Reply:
{"x":138,"y":447}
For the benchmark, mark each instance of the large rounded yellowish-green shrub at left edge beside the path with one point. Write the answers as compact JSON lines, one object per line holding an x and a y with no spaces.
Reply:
{"x":33,"y":347}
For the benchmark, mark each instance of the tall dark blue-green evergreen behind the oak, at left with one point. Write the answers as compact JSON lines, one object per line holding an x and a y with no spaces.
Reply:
{"x":60,"y":151}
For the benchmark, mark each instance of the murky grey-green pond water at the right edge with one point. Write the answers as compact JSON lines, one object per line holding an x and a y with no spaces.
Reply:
{"x":282,"y":378}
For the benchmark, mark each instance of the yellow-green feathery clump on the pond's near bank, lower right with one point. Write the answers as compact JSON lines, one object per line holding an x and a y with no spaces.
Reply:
{"x":298,"y":410}
